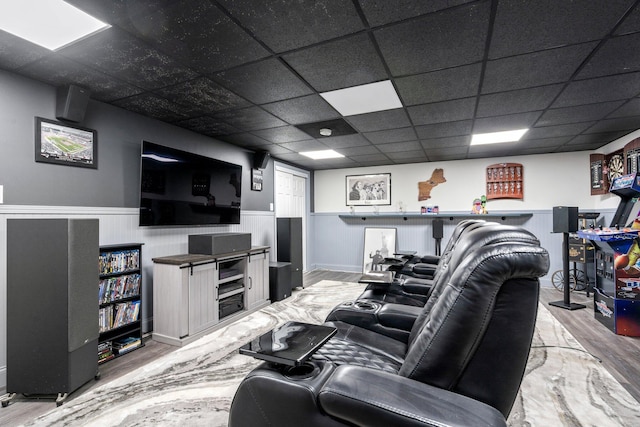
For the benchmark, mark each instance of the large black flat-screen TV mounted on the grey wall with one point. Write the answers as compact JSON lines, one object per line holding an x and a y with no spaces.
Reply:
{"x":181,"y":188}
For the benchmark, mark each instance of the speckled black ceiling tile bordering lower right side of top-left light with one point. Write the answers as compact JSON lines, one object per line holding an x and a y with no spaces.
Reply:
{"x":118,"y":54}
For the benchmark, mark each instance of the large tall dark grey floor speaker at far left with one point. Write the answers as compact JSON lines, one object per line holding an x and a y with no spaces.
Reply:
{"x":52,"y":305}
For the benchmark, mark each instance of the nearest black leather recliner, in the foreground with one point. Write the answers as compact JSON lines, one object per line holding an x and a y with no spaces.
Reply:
{"x":460,"y":364}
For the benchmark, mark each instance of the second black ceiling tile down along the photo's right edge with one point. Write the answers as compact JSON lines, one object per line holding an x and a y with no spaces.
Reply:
{"x":617,"y":55}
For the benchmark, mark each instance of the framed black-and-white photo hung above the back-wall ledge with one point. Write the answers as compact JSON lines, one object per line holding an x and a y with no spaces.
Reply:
{"x":365,"y":190}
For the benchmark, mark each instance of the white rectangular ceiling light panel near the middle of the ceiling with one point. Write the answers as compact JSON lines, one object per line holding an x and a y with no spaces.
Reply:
{"x":363,"y":99}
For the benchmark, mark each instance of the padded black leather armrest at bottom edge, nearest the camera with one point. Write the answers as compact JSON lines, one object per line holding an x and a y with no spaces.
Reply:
{"x":362,"y":396}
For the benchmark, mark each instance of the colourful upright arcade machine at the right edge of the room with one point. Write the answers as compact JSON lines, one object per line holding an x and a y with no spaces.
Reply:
{"x":617,"y":261}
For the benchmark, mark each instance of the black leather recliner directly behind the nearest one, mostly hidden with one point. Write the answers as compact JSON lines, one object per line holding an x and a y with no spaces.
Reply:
{"x":416,"y":292}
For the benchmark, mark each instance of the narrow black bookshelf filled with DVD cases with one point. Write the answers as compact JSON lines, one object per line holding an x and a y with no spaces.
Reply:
{"x":120,"y":300}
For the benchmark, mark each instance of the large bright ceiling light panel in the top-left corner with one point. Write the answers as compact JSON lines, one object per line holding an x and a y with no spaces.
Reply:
{"x":49,"y":23}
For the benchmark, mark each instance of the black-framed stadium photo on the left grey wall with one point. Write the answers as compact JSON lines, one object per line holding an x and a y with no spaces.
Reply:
{"x":63,"y":144}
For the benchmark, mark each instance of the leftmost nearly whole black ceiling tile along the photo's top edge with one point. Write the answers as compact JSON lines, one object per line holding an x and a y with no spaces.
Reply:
{"x":198,"y":33}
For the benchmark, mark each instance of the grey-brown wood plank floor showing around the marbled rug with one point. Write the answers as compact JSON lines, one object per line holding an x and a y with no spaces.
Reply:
{"x":619,"y":355}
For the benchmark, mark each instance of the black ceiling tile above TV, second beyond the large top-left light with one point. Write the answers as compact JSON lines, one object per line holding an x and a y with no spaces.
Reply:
{"x":203,"y":94}
